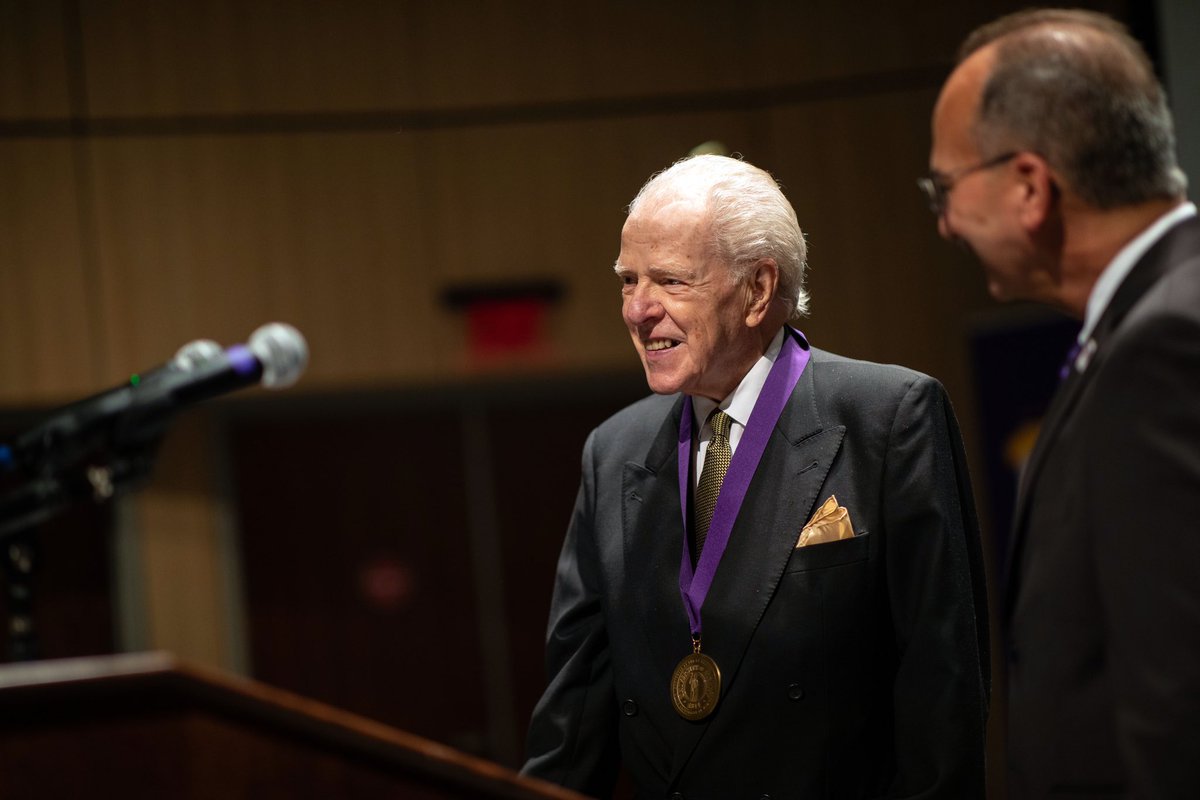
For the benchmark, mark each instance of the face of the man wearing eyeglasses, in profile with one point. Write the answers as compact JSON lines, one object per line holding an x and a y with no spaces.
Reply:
{"x":979,"y":213}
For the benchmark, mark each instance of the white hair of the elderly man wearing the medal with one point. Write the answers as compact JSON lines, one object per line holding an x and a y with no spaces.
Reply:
{"x":749,"y":219}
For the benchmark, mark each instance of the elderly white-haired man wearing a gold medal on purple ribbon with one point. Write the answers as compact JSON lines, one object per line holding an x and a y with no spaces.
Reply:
{"x":772,"y":581}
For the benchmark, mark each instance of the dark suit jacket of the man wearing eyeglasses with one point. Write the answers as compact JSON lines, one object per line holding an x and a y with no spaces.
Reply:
{"x":1105,"y":597}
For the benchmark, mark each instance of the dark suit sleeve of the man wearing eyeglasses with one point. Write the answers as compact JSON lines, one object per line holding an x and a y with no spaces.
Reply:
{"x":1143,"y":489}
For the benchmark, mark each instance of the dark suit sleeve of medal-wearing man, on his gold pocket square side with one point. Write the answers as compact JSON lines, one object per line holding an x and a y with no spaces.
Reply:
{"x":939,"y":603}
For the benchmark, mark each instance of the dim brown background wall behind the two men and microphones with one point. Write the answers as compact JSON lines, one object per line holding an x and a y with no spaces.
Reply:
{"x":382,"y":537}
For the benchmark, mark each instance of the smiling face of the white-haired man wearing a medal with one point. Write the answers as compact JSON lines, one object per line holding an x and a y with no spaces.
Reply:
{"x":685,"y":311}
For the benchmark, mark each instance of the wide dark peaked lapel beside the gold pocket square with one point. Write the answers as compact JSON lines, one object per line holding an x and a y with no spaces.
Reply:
{"x":779,"y":501}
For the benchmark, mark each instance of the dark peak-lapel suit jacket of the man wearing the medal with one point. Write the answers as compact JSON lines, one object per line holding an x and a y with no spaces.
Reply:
{"x":855,"y":669}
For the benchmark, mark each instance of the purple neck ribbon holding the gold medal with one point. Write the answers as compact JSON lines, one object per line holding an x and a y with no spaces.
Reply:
{"x":784,"y":375}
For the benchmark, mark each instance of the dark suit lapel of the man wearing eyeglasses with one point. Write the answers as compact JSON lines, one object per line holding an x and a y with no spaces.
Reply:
{"x":1178,"y":245}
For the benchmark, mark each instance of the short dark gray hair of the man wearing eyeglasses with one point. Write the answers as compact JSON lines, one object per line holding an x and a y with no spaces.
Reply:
{"x":1076,"y":88}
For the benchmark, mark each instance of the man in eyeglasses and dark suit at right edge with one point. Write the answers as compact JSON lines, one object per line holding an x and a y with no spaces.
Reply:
{"x":1054,"y":163}
